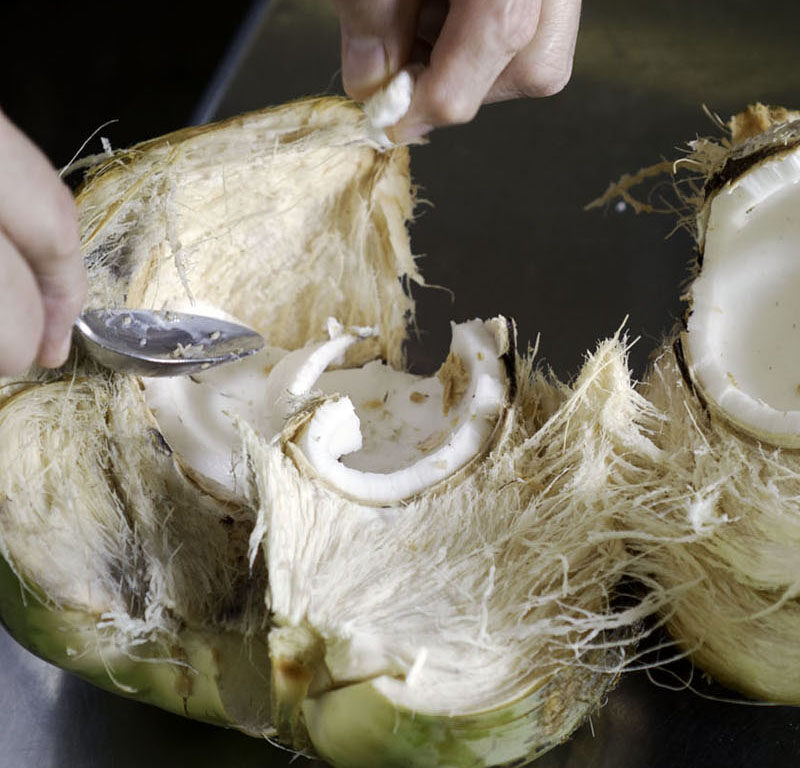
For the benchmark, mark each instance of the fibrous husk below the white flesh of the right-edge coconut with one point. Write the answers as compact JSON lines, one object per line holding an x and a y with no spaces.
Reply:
{"x":723,"y":538}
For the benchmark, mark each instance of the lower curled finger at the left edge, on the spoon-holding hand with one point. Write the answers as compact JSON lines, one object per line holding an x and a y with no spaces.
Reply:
{"x":21,"y":311}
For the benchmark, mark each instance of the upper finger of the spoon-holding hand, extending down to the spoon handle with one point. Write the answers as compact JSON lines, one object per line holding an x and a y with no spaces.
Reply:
{"x":39,"y":221}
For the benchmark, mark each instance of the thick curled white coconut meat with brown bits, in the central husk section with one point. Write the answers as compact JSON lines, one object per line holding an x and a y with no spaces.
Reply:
{"x":468,"y":398}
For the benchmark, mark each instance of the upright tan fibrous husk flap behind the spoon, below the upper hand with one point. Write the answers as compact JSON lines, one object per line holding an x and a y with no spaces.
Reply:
{"x":284,"y":217}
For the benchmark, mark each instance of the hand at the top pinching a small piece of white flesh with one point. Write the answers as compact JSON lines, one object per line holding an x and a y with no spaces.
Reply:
{"x":473,"y":52}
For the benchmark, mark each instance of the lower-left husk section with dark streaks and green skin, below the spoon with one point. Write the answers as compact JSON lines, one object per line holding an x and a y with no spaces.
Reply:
{"x":115,"y":566}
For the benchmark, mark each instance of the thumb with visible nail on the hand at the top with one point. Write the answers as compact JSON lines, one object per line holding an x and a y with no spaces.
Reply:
{"x":377,"y":39}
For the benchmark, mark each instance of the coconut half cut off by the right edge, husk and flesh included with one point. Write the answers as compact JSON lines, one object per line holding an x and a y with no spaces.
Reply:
{"x":725,"y":510}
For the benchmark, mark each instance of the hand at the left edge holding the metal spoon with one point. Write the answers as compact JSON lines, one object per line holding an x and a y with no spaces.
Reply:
{"x":42,"y":277}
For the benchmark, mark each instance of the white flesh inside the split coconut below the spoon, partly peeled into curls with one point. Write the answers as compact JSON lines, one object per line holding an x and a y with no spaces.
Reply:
{"x":376,"y":434}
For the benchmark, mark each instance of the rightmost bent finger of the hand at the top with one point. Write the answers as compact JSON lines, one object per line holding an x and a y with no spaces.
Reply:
{"x":544,"y":66}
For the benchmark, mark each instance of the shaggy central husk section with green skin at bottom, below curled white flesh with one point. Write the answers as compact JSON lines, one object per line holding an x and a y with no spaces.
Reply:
{"x":480,"y":615}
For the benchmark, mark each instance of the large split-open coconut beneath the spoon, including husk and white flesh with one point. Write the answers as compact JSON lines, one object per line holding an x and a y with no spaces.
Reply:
{"x":313,"y":544}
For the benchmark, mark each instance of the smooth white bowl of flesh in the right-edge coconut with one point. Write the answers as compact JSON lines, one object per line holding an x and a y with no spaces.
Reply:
{"x":742,"y":341}
